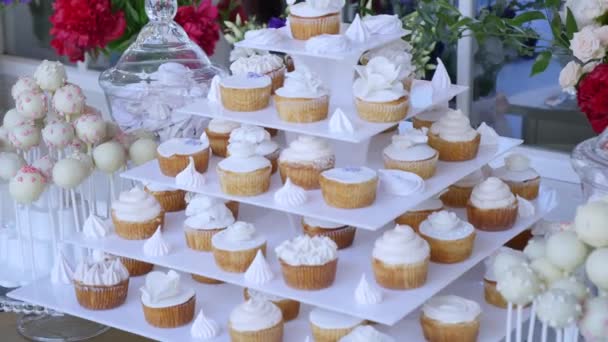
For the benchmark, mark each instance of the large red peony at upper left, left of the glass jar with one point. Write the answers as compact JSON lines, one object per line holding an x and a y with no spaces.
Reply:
{"x":83,"y":25}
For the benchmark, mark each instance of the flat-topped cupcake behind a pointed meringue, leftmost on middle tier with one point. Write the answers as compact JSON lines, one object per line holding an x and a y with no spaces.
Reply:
{"x":174,"y":155}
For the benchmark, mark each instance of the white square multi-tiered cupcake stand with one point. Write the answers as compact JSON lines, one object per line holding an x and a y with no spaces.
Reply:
{"x":397,"y":314}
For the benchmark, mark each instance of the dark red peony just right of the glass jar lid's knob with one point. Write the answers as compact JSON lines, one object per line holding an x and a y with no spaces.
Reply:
{"x":200,"y":22}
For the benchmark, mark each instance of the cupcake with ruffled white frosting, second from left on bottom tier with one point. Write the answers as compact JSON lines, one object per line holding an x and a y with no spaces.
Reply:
{"x":165,"y":302}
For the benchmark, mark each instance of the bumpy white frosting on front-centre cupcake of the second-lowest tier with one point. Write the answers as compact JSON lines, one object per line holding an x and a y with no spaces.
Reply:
{"x":306,"y":250}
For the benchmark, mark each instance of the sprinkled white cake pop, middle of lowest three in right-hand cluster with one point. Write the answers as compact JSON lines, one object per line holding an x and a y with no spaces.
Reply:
{"x":558,"y":308}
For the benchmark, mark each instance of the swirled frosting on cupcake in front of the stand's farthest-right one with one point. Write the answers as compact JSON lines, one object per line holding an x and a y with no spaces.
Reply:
{"x":492,"y":193}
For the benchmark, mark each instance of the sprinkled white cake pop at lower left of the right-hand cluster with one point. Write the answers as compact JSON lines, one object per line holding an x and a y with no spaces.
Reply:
{"x":519,"y":285}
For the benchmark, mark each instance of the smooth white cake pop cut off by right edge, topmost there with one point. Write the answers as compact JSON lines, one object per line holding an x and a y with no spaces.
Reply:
{"x":590,"y":223}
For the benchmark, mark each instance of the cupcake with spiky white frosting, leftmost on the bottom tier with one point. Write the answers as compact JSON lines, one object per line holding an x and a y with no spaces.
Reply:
{"x":101,"y":285}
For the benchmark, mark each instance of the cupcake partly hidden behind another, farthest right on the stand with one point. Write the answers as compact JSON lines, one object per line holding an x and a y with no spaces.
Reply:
{"x":523,"y":180}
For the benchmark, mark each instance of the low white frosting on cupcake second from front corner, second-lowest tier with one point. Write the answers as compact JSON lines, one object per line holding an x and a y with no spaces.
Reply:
{"x":445,"y":225}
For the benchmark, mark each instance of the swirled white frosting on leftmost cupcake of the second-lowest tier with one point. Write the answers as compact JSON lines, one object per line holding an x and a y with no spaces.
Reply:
{"x":136,"y":205}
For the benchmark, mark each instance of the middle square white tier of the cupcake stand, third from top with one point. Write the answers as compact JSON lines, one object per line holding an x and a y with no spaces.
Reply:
{"x":386,"y":207}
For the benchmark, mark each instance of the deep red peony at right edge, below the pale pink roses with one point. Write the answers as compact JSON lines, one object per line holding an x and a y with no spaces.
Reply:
{"x":593,"y":97}
